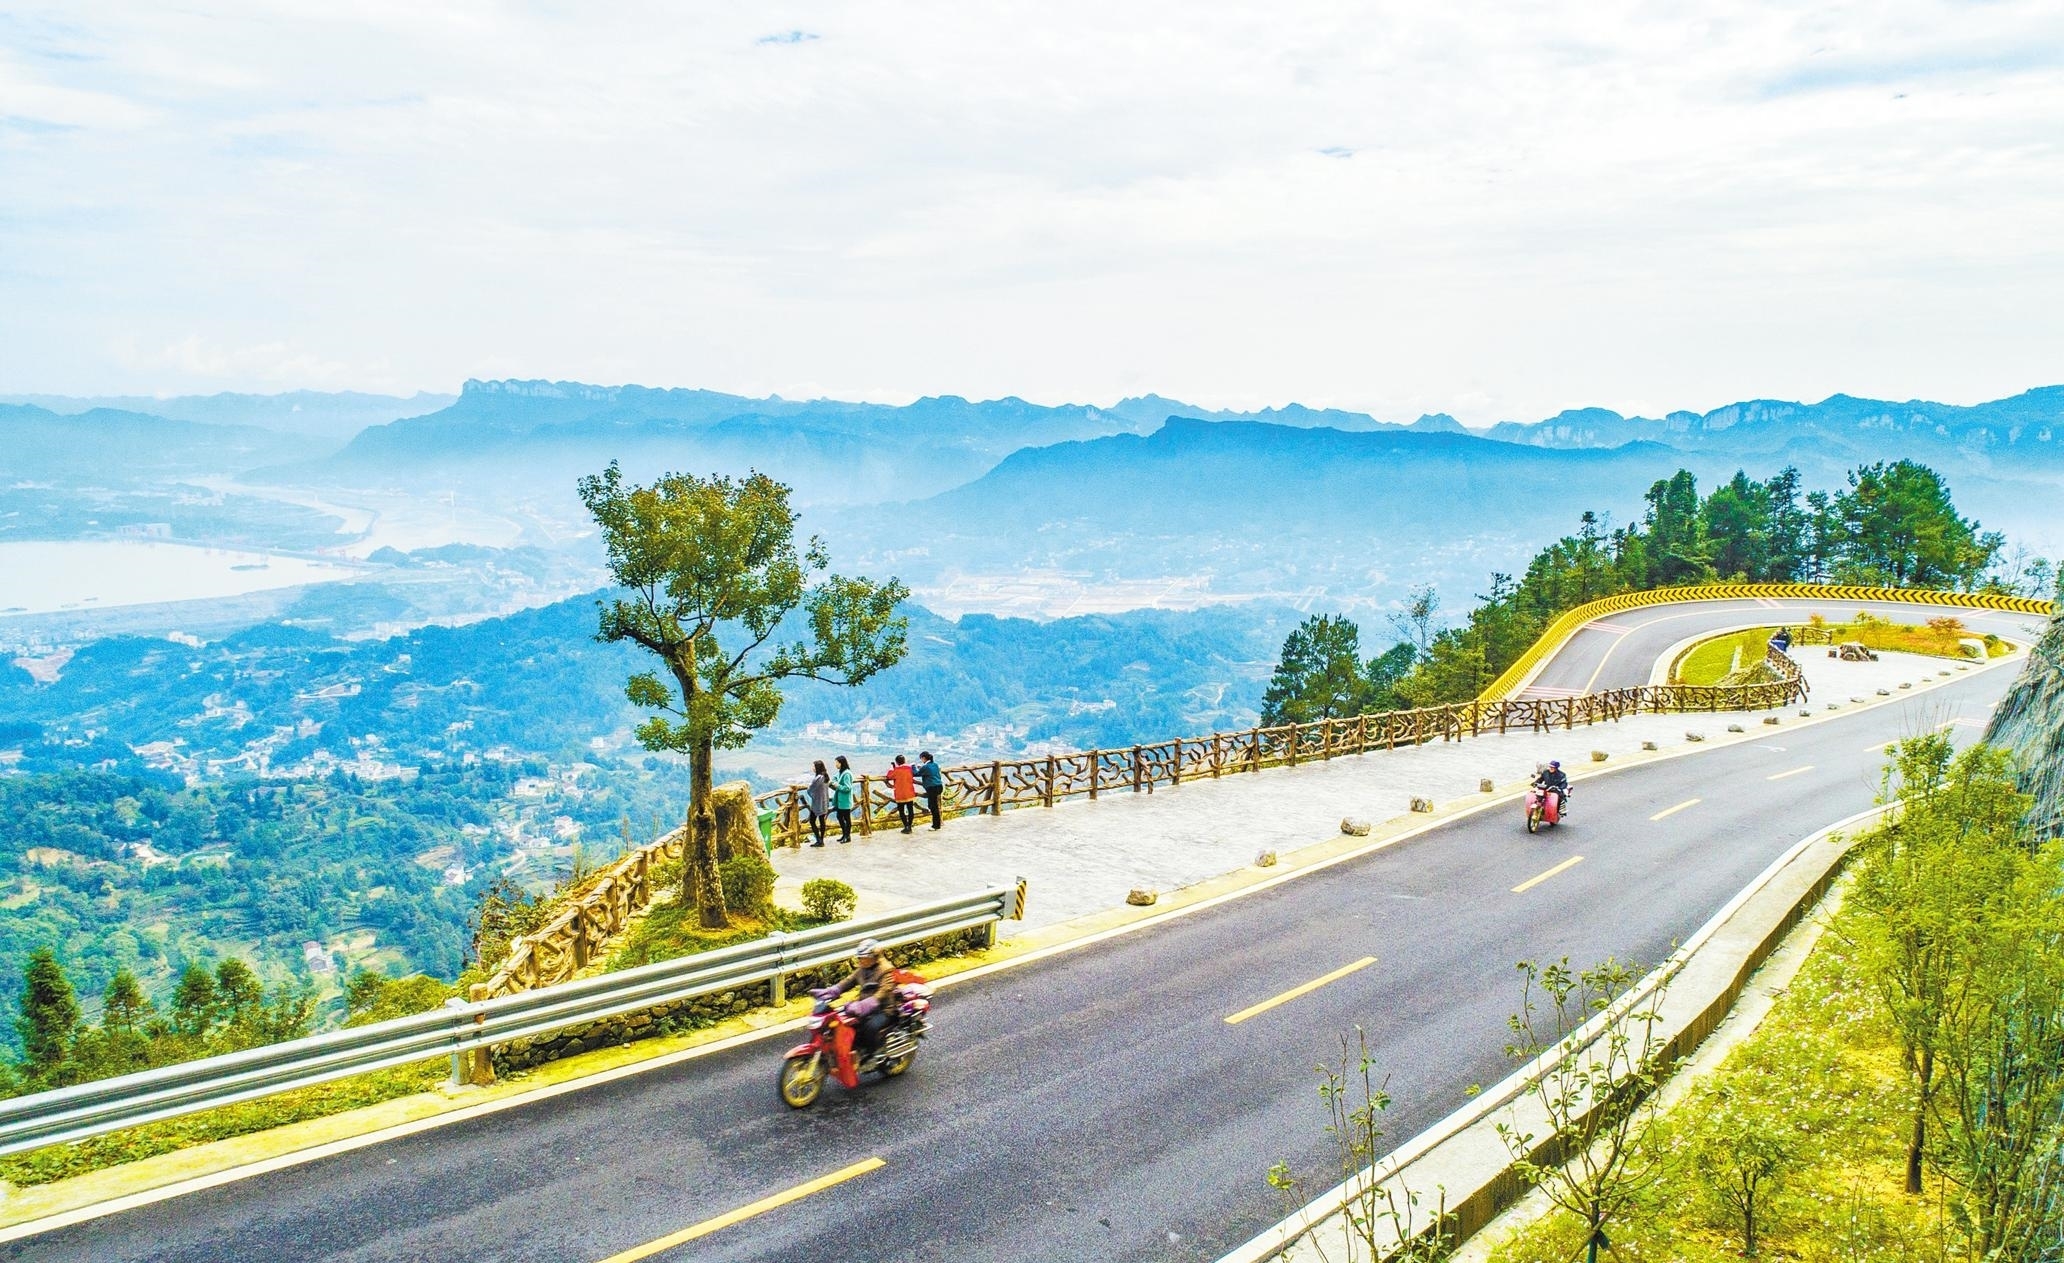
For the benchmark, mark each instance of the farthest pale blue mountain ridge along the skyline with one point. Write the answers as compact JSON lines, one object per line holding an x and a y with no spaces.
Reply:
{"x":490,"y":422}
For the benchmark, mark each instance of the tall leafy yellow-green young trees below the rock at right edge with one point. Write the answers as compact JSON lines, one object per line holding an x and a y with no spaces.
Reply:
{"x":1962,"y":930}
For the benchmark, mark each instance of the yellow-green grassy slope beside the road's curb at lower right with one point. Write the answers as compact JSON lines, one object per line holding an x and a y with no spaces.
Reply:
{"x":1824,"y":1072}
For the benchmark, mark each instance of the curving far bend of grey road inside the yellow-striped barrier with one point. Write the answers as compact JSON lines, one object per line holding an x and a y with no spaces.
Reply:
{"x":1621,"y":651}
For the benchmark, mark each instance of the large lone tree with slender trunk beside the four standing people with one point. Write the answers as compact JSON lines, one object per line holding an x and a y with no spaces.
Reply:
{"x":713,"y":571}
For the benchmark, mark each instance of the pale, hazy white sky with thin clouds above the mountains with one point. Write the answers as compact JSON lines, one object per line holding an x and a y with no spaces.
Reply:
{"x":1493,"y":212}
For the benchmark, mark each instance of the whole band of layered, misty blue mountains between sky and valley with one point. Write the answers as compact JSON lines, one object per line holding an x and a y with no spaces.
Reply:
{"x":1021,"y":484}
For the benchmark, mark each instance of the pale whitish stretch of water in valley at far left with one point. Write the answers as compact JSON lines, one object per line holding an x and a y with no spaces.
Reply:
{"x":44,"y":577}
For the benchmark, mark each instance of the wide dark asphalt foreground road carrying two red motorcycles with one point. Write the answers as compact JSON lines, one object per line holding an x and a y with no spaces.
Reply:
{"x":1095,"y":1105}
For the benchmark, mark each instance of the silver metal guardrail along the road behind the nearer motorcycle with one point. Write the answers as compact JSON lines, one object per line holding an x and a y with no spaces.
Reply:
{"x":191,"y":1087}
